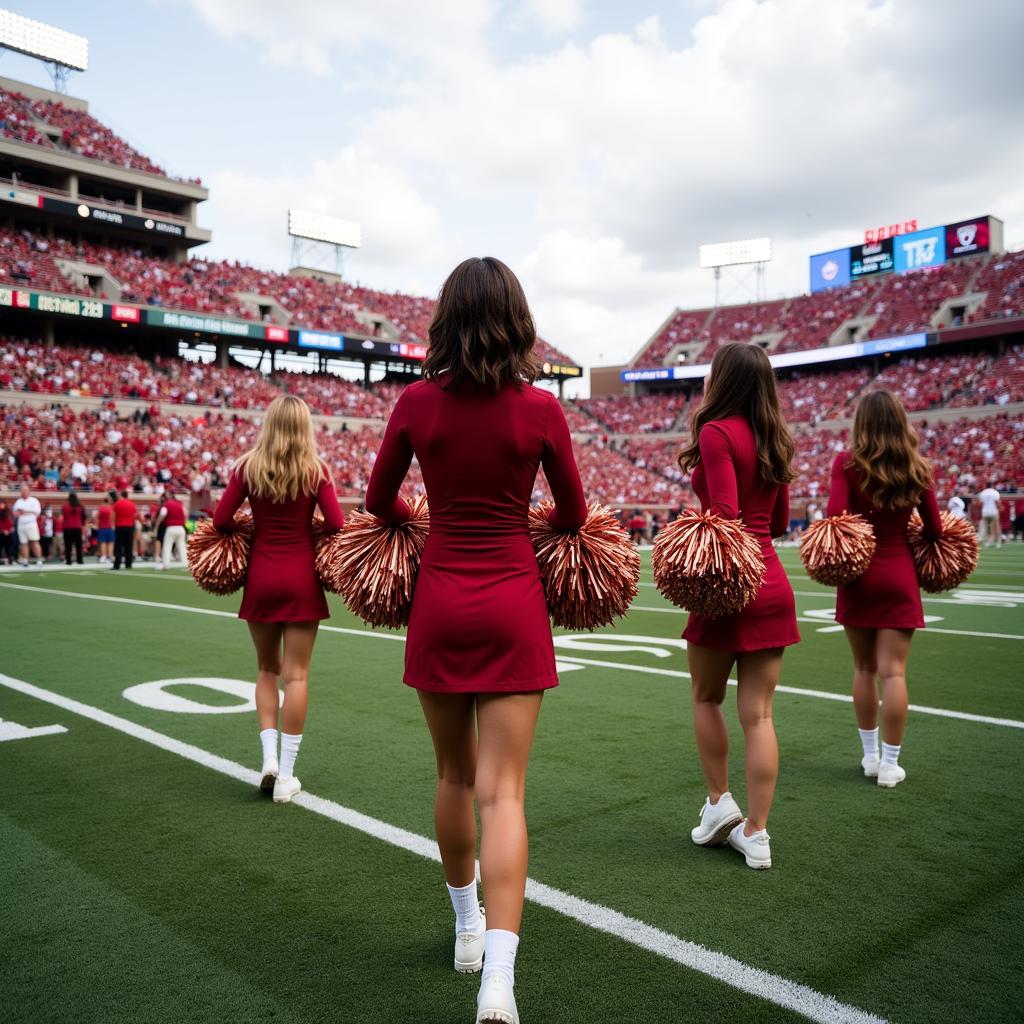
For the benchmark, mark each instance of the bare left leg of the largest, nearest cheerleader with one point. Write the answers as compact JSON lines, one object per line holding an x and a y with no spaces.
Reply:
{"x":451,"y":721}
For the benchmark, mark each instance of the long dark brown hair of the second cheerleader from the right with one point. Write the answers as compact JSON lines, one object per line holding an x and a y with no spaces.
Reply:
{"x":742,"y":383}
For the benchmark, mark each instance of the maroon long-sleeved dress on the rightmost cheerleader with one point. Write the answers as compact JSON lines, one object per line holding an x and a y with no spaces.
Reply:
{"x":888,"y":595}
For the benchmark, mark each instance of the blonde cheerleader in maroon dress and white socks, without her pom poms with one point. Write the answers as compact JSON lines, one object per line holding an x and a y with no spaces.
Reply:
{"x":283,"y":601}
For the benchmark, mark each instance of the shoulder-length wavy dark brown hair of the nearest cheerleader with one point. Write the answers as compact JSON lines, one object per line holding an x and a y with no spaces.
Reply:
{"x":483,"y":329}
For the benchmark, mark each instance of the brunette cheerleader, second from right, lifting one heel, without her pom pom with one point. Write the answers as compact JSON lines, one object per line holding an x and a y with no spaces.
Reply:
{"x":740,"y":458}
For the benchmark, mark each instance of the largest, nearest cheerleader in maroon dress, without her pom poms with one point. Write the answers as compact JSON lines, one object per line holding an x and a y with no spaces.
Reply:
{"x":480,"y":651}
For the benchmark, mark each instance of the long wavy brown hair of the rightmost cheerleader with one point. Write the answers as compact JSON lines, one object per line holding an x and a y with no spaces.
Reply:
{"x":884,"y":451}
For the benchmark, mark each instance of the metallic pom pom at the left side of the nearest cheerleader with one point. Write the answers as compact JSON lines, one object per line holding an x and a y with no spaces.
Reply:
{"x":373,"y":566}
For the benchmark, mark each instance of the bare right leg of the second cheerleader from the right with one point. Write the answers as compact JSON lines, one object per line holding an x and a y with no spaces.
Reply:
{"x":758,"y":674}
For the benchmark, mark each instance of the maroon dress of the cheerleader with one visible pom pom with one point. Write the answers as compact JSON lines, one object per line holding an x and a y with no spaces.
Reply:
{"x":729,"y":482}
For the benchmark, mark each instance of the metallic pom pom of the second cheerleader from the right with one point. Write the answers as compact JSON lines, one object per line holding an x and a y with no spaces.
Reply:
{"x":708,"y":565}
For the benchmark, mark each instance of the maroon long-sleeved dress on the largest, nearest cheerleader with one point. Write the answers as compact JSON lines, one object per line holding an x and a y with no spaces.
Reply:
{"x":480,"y":622}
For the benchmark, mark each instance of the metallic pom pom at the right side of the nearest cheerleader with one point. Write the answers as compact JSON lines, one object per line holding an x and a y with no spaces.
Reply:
{"x":591,"y":575}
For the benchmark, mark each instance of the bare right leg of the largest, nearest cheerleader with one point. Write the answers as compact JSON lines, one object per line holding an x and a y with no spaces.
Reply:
{"x":506,"y":726}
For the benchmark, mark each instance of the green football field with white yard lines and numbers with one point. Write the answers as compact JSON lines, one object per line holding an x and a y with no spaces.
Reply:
{"x":145,"y":879}
